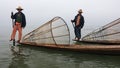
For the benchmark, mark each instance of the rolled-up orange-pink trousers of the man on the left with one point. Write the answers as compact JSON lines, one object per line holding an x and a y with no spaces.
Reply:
{"x":17,"y":27}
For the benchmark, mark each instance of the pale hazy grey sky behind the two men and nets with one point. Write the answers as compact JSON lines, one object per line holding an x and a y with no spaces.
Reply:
{"x":96,"y":12}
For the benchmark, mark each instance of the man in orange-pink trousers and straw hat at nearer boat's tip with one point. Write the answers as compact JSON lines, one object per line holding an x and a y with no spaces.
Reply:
{"x":20,"y":22}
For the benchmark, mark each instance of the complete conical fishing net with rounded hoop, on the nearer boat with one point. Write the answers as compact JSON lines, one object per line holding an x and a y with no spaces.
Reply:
{"x":54,"y":31}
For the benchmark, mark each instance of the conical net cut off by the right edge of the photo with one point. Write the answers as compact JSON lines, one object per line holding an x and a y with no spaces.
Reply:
{"x":109,"y":33}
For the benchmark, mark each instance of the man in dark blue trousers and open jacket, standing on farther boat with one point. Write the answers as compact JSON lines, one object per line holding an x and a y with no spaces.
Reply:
{"x":79,"y":23}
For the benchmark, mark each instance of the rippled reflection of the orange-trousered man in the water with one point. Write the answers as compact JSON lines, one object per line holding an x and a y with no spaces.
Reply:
{"x":18,"y":59}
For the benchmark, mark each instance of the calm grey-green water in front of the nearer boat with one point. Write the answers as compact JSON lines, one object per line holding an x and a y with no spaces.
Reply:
{"x":23,"y":56}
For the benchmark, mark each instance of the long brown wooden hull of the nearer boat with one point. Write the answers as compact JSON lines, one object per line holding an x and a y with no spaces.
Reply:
{"x":97,"y":49}
